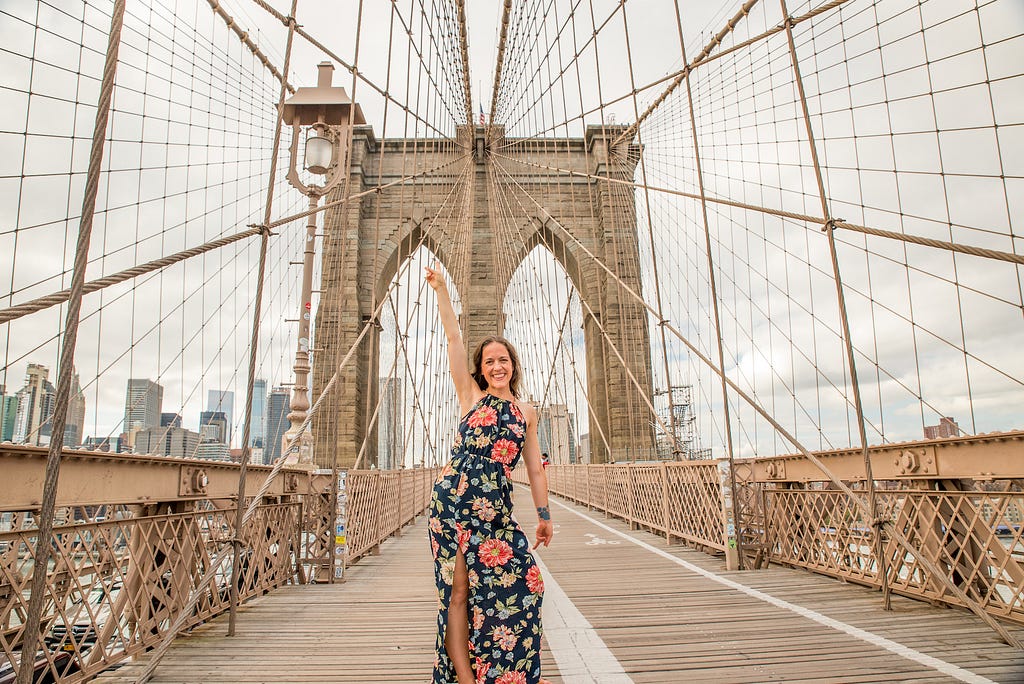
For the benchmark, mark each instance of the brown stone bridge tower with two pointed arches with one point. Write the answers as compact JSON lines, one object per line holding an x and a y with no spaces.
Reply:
{"x":370,"y":237}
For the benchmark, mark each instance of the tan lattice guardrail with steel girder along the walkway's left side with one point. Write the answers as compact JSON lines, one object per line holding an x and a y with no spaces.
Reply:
{"x":136,"y":534}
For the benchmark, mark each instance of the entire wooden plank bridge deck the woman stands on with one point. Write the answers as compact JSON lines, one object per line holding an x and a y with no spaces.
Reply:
{"x":654,"y":618}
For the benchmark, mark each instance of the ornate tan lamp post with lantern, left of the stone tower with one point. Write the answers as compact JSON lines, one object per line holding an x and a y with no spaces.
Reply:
{"x":322,"y":116}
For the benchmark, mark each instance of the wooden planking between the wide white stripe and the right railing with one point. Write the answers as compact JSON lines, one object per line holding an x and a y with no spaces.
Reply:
{"x":669,"y":624}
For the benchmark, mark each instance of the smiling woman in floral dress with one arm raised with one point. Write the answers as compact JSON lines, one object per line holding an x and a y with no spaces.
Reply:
{"x":490,"y":587}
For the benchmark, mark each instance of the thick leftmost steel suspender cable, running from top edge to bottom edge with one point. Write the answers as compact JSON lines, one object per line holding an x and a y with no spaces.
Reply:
{"x":30,"y":635}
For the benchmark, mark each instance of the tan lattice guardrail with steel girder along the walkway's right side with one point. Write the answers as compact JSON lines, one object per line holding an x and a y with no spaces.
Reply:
{"x":960,"y":502}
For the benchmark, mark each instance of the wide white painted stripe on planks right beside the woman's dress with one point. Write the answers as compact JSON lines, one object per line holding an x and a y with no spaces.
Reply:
{"x":582,"y":657}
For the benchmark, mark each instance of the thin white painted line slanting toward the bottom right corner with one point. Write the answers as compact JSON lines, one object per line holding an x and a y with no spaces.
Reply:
{"x":874,"y":639}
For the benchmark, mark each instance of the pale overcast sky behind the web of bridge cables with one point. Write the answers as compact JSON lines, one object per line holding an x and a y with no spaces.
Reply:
{"x":904,"y":99}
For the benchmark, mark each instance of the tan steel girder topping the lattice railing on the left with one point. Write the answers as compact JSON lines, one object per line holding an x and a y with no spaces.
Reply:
{"x":90,"y":479}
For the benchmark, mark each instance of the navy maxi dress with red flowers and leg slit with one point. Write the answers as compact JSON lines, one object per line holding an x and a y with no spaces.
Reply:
{"x":472,"y":512}
